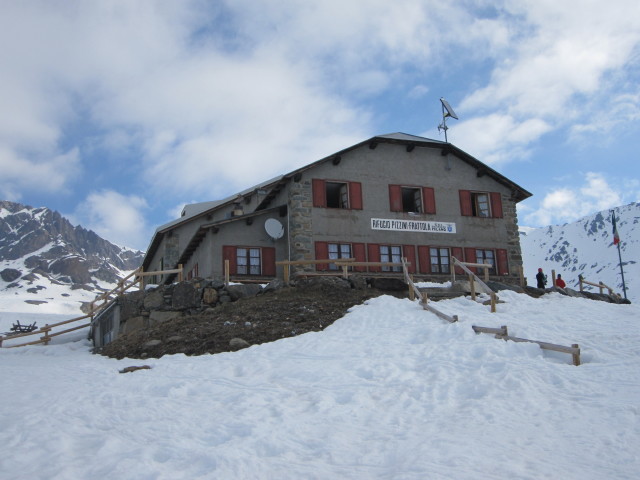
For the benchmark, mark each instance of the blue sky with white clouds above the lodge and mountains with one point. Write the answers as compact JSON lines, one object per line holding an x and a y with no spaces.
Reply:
{"x":117,"y":113}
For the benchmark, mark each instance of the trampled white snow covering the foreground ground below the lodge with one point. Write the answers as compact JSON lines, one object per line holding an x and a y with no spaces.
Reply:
{"x":387,"y":392}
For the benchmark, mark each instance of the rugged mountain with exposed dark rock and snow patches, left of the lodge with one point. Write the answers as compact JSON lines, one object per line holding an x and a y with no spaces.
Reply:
{"x":49,"y":266}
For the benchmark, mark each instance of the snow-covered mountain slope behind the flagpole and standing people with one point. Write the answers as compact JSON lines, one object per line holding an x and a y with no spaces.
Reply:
{"x":586,"y":247}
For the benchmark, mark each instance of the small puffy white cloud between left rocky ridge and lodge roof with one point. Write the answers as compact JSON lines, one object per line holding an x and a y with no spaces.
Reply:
{"x":115,"y":217}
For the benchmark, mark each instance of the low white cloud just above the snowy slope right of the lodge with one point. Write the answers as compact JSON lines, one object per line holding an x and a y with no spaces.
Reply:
{"x":567,"y":204}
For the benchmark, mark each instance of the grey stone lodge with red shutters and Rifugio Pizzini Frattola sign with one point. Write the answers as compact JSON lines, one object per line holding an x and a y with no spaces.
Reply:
{"x":388,"y":197}
